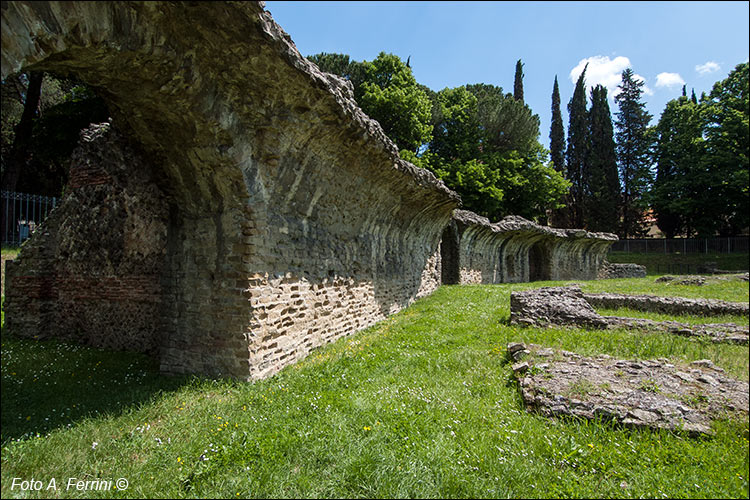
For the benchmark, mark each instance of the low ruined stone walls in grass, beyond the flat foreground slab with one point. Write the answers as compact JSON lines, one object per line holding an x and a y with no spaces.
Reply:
{"x":569,"y":306}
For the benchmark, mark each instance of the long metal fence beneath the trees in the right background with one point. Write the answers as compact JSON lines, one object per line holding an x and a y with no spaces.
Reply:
{"x":736,"y":244}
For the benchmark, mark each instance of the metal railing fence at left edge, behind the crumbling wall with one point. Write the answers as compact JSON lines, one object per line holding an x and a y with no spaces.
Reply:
{"x":21,"y":215}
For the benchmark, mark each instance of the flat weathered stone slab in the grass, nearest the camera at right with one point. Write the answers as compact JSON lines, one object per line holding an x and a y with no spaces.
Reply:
{"x":638,"y":393}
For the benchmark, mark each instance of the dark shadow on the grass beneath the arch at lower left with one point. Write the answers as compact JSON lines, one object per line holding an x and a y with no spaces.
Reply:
{"x":47,"y":385}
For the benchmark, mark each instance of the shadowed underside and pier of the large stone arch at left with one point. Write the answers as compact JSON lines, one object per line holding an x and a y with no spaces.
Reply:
{"x":145,"y":72}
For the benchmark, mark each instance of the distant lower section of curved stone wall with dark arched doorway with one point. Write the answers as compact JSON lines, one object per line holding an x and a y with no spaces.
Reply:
{"x":516,"y":250}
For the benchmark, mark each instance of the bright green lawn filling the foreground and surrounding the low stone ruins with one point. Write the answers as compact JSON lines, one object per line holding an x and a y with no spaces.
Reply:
{"x":422,"y":404}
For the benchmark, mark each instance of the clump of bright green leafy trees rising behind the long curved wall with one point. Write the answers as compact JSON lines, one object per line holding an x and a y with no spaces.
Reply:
{"x":481,"y":142}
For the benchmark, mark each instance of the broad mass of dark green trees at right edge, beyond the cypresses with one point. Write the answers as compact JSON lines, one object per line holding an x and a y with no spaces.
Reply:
{"x":701,"y":156}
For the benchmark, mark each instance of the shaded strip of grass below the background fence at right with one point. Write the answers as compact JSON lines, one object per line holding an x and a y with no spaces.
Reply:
{"x":659,"y":263}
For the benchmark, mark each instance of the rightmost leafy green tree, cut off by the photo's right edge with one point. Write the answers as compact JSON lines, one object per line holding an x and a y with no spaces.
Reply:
{"x":725,"y":118}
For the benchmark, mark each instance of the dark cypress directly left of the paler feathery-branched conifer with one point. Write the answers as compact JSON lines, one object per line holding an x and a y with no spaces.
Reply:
{"x":602,"y":182}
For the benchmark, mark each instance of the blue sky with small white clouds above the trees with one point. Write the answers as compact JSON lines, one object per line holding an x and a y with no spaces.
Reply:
{"x":455,"y":43}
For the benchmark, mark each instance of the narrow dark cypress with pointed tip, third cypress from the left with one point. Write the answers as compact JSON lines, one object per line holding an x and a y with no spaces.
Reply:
{"x":578,"y":145}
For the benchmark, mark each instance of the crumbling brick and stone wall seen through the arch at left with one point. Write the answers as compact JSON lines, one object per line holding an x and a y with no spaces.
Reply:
{"x":92,"y":274}
